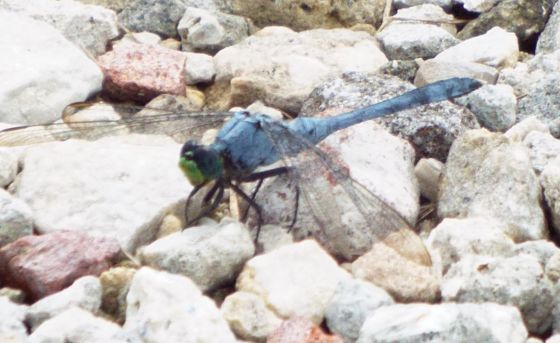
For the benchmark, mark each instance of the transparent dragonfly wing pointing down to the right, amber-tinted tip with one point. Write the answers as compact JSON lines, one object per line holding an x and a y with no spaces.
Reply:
{"x":349,"y":217}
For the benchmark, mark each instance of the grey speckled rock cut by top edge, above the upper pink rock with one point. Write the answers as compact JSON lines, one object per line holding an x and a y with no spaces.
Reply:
{"x":157,"y":16}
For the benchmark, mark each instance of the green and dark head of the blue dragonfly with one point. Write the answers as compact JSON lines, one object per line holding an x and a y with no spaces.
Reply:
{"x":200,"y":163}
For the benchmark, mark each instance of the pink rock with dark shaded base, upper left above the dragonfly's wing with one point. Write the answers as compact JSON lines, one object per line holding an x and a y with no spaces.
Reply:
{"x":141,"y":72}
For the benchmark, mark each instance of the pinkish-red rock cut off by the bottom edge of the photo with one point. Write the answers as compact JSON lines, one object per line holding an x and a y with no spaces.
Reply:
{"x":300,"y":330}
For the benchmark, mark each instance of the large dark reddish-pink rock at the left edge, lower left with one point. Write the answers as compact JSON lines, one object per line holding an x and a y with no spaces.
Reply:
{"x":46,"y":264}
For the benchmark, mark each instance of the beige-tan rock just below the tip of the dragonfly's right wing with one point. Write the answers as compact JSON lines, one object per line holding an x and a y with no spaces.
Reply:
{"x":404,"y":279}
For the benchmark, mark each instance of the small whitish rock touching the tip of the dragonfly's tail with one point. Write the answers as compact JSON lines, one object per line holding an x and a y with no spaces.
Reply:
{"x":494,"y":106}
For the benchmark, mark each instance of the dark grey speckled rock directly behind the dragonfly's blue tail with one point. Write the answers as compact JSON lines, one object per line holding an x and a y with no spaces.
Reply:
{"x":431,"y":129}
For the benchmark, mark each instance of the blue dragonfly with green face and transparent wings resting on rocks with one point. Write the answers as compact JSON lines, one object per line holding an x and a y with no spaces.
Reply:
{"x":248,"y":142}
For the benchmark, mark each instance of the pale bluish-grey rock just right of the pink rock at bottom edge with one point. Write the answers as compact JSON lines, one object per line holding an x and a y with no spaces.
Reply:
{"x":353,"y":301}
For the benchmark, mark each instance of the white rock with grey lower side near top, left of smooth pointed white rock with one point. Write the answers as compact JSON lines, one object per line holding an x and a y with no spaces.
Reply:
{"x":403,"y":41}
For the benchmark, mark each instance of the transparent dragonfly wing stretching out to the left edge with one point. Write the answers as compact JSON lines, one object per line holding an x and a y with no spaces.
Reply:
{"x":180,"y":126}
